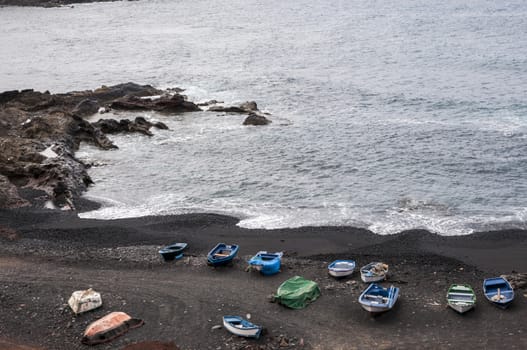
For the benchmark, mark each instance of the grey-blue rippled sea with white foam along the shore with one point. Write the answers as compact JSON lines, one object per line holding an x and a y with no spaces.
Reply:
{"x":388,"y":115}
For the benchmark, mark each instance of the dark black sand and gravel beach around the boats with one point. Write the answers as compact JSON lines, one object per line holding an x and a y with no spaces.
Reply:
{"x":46,"y":255}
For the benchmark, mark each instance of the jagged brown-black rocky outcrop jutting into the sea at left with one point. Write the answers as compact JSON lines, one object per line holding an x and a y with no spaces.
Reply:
{"x":40,"y":132}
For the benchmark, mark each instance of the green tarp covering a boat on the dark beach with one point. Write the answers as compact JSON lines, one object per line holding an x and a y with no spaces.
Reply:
{"x":297,"y":292}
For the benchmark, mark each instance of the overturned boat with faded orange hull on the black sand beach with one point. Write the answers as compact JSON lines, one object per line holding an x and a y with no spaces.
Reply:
{"x":109,"y":327}
